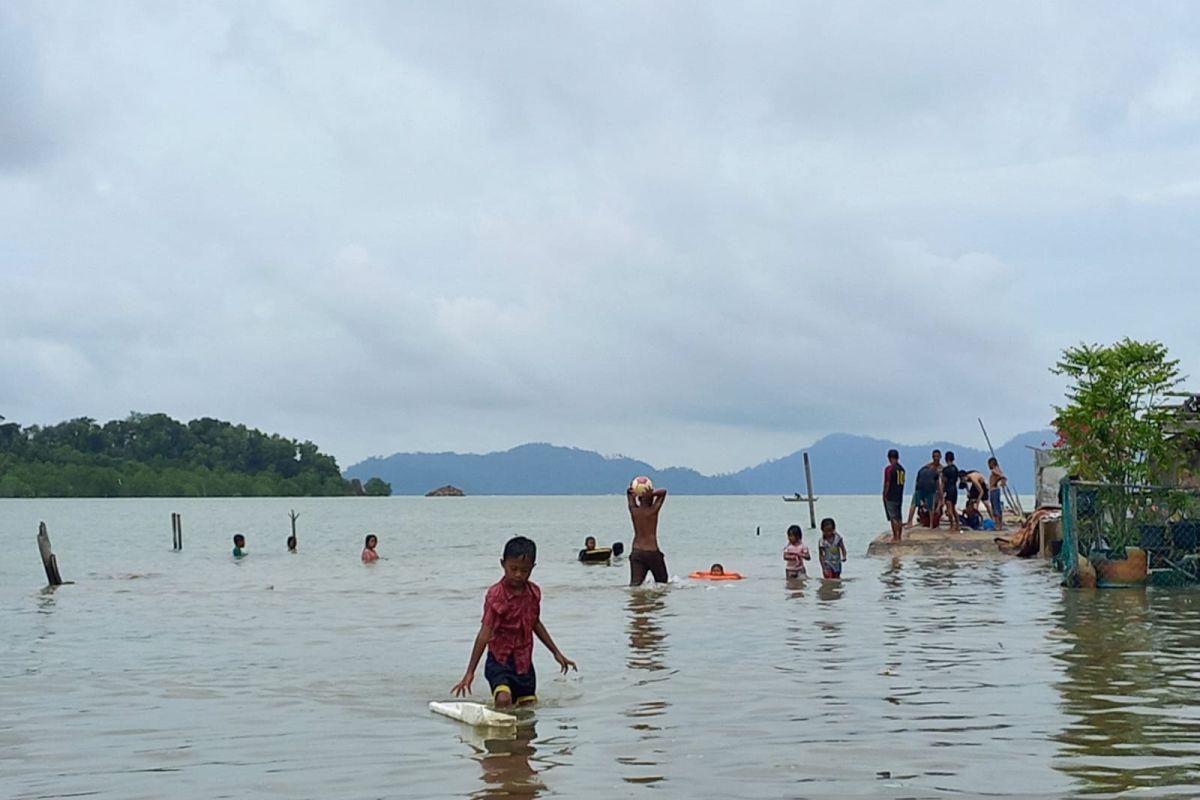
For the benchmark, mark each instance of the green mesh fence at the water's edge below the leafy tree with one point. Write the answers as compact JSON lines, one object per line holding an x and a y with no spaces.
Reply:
{"x":1102,"y":522}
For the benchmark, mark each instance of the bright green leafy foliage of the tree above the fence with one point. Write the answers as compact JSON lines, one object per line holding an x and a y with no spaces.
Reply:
{"x":1114,"y":426}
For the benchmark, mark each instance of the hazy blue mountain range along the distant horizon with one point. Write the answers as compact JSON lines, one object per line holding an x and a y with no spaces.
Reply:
{"x":842,"y":465}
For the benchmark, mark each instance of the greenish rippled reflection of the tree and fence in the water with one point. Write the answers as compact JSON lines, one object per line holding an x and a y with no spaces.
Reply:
{"x":1132,"y":690}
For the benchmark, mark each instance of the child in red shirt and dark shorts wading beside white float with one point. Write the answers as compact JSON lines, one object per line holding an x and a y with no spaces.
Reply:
{"x":512,"y":618}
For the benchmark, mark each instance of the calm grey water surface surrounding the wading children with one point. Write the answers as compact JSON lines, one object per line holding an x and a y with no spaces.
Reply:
{"x":308,"y":676}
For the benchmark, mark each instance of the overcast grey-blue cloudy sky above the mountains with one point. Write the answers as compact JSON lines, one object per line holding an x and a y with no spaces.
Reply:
{"x":697,"y":234}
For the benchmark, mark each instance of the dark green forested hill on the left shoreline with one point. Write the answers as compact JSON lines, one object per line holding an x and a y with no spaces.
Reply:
{"x":152,"y":455}
